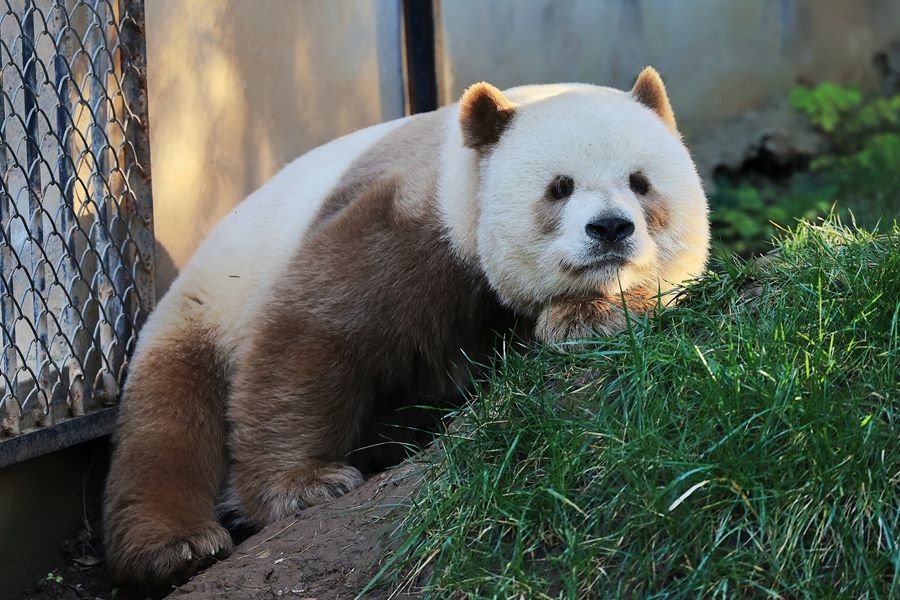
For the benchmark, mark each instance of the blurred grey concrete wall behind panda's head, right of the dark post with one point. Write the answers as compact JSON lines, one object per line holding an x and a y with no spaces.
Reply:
{"x":728,"y":65}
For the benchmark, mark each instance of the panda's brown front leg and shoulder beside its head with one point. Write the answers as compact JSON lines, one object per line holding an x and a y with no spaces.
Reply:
{"x":369,"y":322}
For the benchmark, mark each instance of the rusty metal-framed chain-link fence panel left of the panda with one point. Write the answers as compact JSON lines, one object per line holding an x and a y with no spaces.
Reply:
{"x":76,"y":244}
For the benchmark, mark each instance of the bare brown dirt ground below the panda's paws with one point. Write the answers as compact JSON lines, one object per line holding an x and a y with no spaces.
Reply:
{"x":325,"y":552}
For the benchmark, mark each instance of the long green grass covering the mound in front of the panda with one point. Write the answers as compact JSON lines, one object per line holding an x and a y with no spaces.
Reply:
{"x":743,"y":443}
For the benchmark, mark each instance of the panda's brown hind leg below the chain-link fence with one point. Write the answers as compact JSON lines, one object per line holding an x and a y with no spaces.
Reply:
{"x":160,"y":523}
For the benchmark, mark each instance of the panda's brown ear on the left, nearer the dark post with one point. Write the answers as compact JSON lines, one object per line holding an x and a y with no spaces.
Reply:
{"x":484,"y":113}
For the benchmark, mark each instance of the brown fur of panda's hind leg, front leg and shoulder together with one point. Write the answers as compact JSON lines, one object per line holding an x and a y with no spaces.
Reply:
{"x":374,"y":317}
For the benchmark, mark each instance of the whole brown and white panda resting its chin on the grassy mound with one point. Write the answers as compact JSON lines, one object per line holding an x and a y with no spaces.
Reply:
{"x":359,"y":281}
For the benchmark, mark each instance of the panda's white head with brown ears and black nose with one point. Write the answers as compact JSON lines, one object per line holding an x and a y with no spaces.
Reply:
{"x":584,"y":191}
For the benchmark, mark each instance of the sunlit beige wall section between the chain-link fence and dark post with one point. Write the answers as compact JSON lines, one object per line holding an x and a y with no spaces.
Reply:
{"x":238,"y":89}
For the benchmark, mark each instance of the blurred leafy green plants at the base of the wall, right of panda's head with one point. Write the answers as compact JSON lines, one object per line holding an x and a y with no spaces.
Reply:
{"x":857,"y":173}
